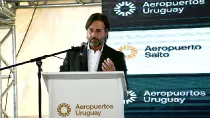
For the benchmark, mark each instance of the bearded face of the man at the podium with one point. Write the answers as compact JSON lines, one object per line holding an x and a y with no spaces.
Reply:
{"x":96,"y":33}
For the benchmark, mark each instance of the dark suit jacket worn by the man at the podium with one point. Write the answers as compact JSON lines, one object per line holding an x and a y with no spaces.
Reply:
{"x":75,"y":62}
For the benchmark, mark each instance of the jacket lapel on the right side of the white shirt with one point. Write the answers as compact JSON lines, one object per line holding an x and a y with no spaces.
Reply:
{"x":104,"y":56}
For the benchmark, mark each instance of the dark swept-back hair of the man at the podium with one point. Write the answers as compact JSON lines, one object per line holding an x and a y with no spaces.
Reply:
{"x":100,"y":17}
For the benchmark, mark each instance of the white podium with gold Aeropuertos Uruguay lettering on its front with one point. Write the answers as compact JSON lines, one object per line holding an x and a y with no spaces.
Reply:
{"x":86,"y":94}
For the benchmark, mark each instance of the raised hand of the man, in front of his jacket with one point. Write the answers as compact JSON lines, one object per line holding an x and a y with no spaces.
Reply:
{"x":108,"y":65}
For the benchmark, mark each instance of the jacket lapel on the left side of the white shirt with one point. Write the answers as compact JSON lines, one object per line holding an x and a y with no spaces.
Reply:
{"x":84,"y":61}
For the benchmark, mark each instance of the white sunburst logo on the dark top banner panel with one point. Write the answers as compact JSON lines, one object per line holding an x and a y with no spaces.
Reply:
{"x":124,"y":8}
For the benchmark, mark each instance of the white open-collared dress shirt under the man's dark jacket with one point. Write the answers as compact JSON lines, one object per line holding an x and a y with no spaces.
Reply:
{"x":93,"y":58}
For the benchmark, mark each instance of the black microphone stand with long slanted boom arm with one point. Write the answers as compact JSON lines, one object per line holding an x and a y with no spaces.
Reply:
{"x":38,"y":61}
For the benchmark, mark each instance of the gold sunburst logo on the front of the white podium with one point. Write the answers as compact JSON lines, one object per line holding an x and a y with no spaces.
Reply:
{"x":64,"y":110}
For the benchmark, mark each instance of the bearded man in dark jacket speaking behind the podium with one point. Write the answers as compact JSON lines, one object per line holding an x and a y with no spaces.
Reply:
{"x":96,"y":55}
